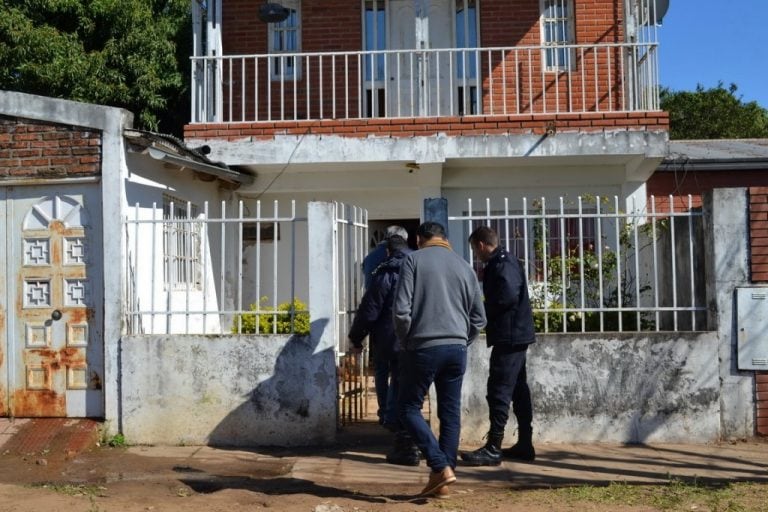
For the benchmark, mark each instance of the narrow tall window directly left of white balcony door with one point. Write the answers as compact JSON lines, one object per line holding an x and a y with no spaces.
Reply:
{"x":375,"y":39}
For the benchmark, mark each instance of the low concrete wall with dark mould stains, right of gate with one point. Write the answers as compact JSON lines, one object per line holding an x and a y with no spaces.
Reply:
{"x":627,"y":388}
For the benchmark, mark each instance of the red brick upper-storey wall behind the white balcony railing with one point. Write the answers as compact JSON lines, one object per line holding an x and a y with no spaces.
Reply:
{"x":514,"y":84}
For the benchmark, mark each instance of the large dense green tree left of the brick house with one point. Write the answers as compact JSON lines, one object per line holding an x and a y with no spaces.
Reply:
{"x":132,"y":54}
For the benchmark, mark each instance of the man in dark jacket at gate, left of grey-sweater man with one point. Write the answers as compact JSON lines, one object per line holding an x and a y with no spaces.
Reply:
{"x":374,"y":319}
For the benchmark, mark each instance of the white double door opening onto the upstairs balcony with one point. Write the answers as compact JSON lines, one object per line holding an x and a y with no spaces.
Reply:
{"x":419,"y":82}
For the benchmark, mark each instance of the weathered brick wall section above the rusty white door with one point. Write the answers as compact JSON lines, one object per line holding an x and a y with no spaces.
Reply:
{"x":31,"y":149}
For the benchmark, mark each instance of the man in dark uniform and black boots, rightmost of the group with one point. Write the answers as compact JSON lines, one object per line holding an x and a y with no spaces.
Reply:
{"x":509,"y":332}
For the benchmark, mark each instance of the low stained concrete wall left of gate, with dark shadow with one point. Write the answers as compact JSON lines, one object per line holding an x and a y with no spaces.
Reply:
{"x":227,"y":390}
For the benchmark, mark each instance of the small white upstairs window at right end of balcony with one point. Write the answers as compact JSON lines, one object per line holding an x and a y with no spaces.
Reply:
{"x":557,"y":34}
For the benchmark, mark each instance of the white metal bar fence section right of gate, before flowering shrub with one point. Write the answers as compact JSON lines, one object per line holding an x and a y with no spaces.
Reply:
{"x":593,"y":267}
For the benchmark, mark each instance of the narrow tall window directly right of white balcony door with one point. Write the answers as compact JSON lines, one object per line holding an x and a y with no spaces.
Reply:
{"x":466,"y":61}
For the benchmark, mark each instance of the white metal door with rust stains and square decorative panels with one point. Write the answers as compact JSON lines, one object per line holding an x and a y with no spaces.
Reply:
{"x":54,"y":278}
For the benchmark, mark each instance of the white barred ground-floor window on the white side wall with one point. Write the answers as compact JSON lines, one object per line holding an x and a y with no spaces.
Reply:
{"x":181,"y":244}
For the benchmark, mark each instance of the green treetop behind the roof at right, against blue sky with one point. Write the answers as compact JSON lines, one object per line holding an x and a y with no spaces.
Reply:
{"x":715,"y":113}
